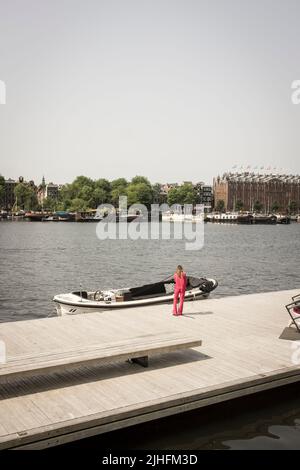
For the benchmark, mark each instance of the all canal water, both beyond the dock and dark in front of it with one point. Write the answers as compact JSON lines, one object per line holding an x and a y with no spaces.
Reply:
{"x":39,"y":260}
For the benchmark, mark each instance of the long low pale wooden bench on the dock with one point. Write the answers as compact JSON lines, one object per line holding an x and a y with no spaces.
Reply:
{"x":135,"y":350}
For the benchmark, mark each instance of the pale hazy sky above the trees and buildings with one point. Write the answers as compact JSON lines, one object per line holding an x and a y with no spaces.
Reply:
{"x":171,"y":89}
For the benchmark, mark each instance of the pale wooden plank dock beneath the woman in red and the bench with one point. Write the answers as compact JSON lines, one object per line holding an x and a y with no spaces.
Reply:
{"x":246,"y":347}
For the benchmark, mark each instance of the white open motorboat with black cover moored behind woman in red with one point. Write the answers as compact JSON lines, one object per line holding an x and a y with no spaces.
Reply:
{"x":150,"y":294}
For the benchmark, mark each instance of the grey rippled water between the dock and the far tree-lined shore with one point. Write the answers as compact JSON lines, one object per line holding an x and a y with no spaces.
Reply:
{"x":40,"y":260}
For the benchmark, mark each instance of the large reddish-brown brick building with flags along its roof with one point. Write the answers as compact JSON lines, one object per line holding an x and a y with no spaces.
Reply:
{"x":248,"y":191}
